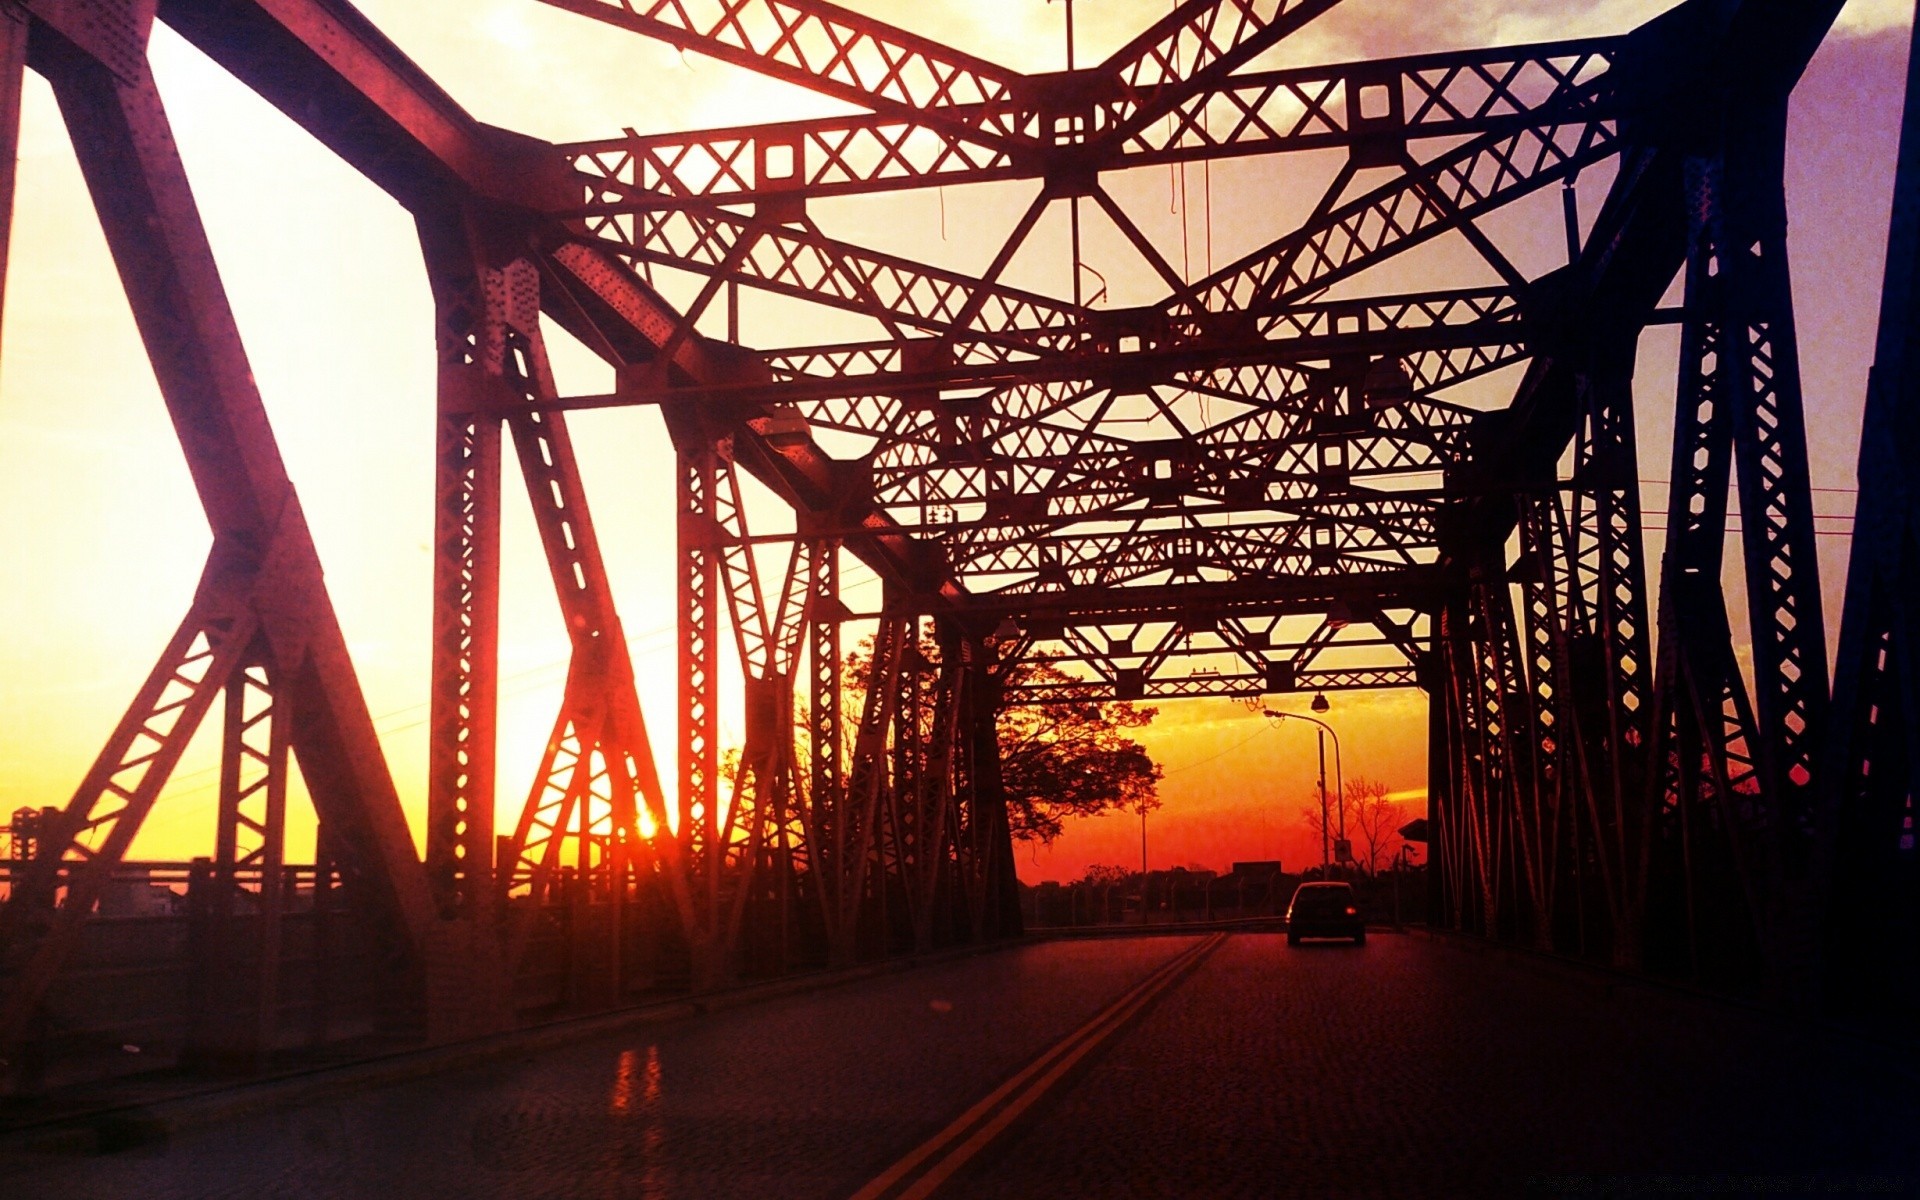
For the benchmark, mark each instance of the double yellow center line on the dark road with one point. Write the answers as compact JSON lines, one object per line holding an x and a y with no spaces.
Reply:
{"x":930,"y":1164}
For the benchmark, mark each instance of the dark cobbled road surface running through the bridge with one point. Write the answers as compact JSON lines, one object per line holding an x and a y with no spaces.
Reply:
{"x":1145,"y":1067}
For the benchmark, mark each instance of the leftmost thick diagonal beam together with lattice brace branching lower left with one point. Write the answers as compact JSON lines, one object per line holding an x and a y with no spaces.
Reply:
{"x":264,"y":590}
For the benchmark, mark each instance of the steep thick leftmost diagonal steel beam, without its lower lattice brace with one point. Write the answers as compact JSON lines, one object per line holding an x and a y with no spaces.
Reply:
{"x":155,"y":233}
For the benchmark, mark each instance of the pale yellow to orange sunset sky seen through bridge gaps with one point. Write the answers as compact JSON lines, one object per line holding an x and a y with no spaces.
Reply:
{"x":105,"y":535}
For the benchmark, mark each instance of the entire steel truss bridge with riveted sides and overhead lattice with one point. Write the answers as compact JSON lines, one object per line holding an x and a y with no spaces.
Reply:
{"x":1276,"y":477}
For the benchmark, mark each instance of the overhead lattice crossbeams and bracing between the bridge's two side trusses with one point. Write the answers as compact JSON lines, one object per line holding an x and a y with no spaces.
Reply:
{"x":996,"y":416}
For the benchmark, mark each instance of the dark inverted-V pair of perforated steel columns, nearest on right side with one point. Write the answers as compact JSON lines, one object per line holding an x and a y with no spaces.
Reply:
{"x":1740,"y":393}
